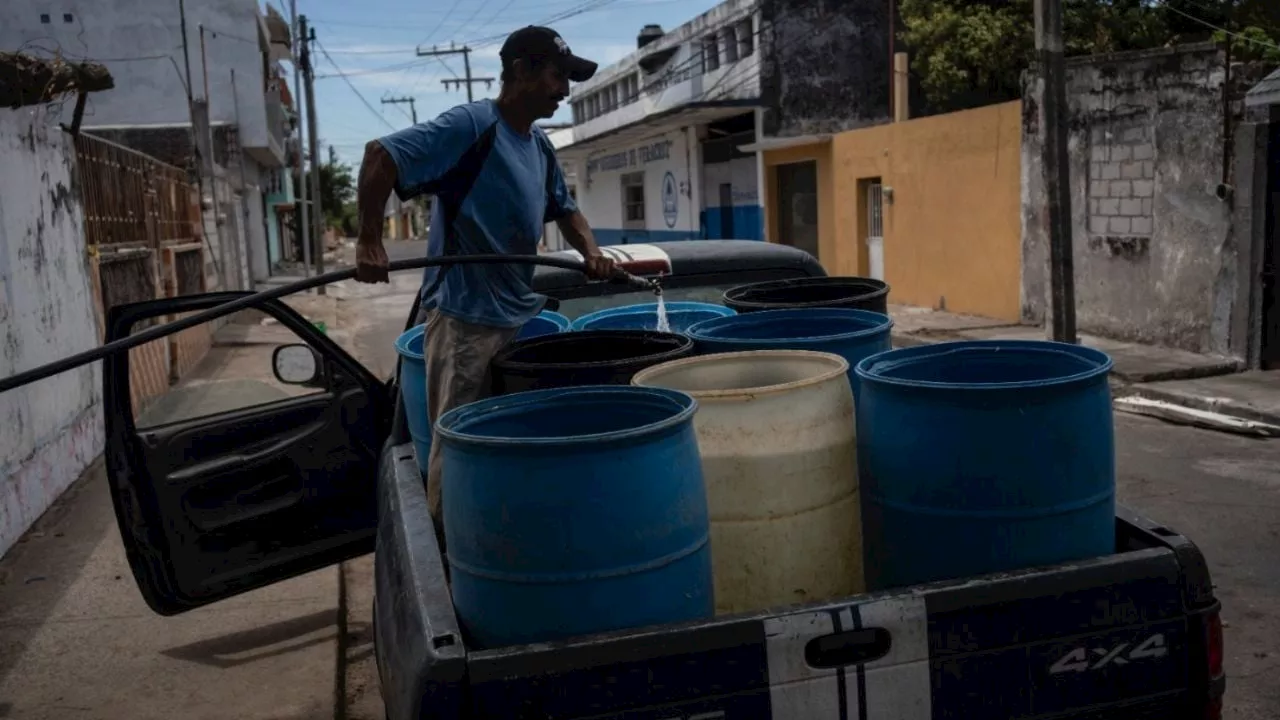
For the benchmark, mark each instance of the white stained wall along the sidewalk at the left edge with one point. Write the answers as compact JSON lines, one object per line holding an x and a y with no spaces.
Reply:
{"x":53,"y":430}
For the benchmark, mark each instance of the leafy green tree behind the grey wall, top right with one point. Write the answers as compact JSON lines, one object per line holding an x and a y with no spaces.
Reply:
{"x":971,"y":53}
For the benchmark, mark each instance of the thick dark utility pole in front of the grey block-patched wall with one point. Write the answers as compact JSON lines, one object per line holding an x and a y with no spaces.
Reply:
{"x":1057,"y":168}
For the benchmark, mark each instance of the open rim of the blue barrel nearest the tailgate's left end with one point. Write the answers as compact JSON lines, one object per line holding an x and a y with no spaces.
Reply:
{"x":452,"y":426}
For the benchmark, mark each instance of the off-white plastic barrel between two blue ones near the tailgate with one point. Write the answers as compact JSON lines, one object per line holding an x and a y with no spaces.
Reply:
{"x":776,"y":435}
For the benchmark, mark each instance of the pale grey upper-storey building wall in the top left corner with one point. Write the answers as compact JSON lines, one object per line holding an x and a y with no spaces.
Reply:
{"x":149,"y":83}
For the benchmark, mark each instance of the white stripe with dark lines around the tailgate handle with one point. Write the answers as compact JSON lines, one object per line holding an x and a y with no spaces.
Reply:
{"x":897,"y":687}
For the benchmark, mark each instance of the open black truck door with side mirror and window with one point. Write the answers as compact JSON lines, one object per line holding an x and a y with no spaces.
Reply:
{"x":218,"y":498}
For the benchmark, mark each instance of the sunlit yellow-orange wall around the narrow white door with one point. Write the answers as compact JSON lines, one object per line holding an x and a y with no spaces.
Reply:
{"x":953,"y":230}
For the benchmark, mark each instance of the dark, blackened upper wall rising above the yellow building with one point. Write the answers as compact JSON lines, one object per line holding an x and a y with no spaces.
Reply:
{"x":825,"y":66}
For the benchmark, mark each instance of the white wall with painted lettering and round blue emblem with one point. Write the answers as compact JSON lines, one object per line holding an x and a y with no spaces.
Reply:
{"x":673,"y":202}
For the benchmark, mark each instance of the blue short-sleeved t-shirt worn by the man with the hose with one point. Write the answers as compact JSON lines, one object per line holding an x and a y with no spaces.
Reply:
{"x":505,"y":213}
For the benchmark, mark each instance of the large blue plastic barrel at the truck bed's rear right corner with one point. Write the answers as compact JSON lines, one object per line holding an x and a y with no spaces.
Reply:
{"x":984,"y":457}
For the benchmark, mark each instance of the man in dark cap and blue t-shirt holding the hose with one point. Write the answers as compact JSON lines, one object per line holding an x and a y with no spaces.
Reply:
{"x":497,"y":184}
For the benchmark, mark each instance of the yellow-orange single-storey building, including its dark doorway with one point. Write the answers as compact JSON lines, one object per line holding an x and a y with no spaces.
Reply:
{"x":949,"y":198}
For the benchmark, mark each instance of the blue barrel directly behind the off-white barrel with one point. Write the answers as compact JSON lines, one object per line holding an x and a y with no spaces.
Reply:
{"x":853,"y":335}
